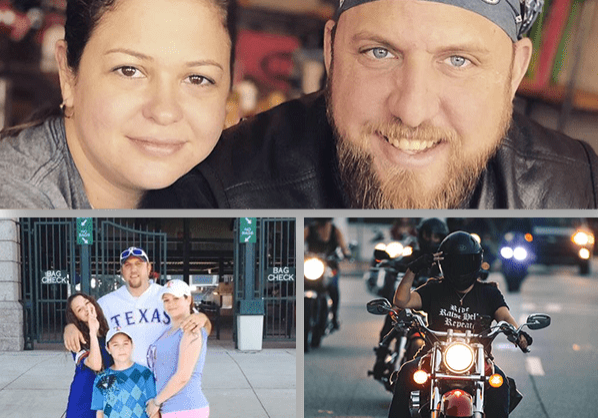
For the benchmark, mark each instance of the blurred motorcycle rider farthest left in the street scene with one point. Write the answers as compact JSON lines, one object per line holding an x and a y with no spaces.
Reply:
{"x":323,"y":237}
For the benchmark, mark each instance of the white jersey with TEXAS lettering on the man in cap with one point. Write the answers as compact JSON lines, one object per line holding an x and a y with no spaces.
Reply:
{"x":144,"y":317}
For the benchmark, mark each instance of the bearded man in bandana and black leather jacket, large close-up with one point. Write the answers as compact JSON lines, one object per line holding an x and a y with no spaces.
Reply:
{"x":417,"y":114}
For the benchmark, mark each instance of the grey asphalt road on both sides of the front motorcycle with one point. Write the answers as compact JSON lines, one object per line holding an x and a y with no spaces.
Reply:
{"x":559,"y":378}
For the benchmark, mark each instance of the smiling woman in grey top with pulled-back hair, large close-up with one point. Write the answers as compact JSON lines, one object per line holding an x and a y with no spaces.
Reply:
{"x":144,"y":87}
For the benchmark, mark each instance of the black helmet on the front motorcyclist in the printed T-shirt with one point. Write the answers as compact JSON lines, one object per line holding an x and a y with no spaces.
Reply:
{"x":462,"y":259}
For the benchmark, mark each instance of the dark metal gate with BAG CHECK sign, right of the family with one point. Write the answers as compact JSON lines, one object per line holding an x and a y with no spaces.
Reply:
{"x":265,"y":274}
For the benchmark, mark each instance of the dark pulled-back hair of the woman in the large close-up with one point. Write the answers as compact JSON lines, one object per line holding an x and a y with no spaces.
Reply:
{"x":82,"y":17}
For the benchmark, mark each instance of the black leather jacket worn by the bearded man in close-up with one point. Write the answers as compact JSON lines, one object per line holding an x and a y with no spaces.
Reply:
{"x":285,"y":158}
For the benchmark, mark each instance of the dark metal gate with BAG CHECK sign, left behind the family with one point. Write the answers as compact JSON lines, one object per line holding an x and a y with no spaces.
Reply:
{"x":55,"y":266}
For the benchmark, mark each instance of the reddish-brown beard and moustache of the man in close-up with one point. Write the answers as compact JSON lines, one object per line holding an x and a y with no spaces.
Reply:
{"x":403,"y":188}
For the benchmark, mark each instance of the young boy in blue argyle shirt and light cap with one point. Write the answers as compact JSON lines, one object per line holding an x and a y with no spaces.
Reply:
{"x":123,"y":389}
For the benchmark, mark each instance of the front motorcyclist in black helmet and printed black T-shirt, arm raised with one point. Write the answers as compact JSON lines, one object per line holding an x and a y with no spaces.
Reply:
{"x":458,"y":301}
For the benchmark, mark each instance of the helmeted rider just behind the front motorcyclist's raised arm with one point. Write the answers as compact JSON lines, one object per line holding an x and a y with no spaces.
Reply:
{"x":430,"y":234}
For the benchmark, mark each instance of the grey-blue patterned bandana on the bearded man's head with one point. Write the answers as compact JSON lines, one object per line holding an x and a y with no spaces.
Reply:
{"x":515,"y":17}
